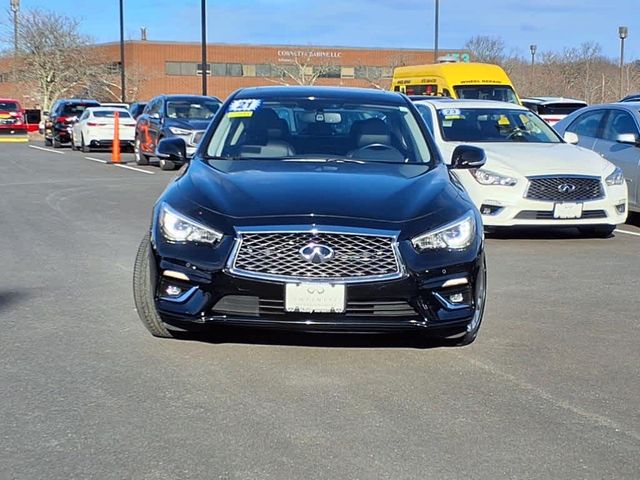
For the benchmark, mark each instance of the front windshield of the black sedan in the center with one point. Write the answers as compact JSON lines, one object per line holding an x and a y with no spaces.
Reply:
{"x":320,"y":129}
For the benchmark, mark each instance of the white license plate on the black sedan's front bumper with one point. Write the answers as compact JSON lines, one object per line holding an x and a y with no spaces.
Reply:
{"x":314,"y":298}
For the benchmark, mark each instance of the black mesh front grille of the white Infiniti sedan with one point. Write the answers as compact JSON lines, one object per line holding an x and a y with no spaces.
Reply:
{"x":564,"y":189}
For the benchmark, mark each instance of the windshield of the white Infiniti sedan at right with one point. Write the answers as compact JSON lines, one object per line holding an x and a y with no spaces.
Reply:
{"x":494,"y":125}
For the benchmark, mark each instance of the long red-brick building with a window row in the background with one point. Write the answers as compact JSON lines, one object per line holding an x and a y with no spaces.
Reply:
{"x":170,"y":67}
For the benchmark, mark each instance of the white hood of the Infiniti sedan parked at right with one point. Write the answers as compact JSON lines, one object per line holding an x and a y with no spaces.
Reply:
{"x":530,"y":159}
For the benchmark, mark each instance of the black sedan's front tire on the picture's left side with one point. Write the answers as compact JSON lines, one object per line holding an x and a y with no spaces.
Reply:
{"x":144,"y":279}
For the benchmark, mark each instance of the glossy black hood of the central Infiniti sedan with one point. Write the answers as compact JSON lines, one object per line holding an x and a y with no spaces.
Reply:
{"x":320,"y":191}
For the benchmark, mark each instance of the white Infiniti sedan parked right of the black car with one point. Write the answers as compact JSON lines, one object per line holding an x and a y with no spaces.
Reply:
{"x":532,"y":176}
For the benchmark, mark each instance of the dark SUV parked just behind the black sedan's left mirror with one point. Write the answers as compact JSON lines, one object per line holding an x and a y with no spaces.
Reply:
{"x":184,"y":116}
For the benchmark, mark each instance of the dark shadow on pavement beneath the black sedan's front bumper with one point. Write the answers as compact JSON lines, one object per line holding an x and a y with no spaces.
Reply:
{"x":228,"y":335}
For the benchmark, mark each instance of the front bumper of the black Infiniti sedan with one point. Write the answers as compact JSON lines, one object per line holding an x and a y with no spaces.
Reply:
{"x":417,"y":300}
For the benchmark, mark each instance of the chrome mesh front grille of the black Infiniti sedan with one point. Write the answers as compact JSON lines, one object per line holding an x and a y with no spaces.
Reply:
{"x":278,"y":256}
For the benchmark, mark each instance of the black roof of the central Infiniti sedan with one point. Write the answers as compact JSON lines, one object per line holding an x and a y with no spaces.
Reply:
{"x":339,"y":93}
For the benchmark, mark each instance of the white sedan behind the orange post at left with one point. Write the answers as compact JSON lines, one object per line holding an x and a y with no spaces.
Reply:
{"x":95,"y":129}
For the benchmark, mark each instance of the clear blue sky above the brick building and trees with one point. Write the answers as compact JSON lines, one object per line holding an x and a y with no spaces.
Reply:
{"x":551,"y":24}
